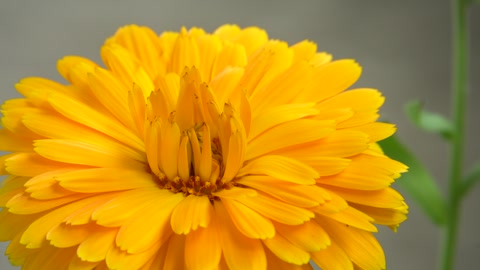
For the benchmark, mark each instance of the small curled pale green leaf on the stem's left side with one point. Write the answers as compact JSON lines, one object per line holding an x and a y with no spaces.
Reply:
{"x":428,"y":121}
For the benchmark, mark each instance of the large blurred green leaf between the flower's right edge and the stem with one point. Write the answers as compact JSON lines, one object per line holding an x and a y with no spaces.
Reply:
{"x":417,"y":183}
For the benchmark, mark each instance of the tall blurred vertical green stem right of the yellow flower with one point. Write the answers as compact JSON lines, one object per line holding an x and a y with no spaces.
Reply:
{"x":459,"y":101}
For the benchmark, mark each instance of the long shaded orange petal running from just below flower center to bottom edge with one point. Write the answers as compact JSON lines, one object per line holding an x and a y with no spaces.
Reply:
{"x":239,"y":251}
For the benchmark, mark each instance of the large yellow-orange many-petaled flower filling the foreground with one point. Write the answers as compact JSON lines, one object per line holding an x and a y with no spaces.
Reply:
{"x":200,"y":151}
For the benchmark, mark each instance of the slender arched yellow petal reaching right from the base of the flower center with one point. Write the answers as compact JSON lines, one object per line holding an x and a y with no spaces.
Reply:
{"x":281,"y":168}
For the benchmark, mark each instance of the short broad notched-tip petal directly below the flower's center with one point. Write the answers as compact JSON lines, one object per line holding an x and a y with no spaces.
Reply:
{"x":190,"y":214}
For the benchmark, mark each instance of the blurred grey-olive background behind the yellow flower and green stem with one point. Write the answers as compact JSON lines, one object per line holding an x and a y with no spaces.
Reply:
{"x":403,"y":46}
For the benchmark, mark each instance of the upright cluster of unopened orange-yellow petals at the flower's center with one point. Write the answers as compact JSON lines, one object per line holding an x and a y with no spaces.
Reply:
{"x":198,"y":148}
